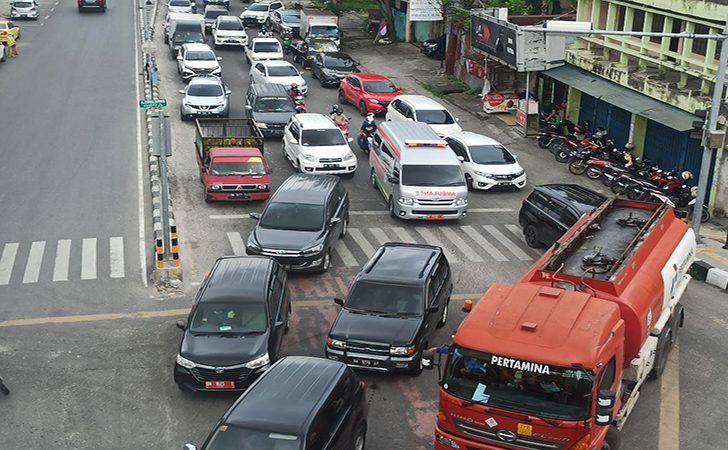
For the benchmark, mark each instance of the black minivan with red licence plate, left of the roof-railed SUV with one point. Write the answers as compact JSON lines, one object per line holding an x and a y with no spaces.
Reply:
{"x":236,"y":325}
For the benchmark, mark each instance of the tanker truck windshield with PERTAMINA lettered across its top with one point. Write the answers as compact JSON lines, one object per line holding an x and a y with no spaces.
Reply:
{"x":516,"y":385}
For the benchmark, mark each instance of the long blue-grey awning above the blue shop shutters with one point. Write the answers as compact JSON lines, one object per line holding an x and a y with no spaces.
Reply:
{"x":623,"y":97}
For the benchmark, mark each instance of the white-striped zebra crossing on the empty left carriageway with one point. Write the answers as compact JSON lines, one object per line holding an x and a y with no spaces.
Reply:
{"x":62,"y":260}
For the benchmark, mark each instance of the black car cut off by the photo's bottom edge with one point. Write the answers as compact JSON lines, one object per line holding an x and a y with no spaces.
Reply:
{"x":301,"y":402}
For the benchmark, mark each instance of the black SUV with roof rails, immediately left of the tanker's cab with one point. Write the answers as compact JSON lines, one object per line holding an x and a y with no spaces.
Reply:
{"x":401,"y":295}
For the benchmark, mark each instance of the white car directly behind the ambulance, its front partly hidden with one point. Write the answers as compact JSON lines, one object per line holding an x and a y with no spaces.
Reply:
{"x":423,"y":109}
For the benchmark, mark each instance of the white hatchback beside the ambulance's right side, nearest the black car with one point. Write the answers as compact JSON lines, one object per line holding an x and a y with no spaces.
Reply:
{"x":486,"y":163}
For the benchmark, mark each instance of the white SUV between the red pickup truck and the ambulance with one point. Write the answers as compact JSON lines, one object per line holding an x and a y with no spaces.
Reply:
{"x":314,"y":144}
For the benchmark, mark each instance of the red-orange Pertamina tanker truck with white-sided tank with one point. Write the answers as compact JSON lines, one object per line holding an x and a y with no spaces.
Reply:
{"x":557,"y":359}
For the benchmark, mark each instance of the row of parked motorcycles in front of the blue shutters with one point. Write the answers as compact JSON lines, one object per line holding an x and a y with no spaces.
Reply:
{"x":591,"y":152}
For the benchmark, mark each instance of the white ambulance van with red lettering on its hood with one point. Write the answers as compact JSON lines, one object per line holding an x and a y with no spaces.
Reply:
{"x":418,"y":175}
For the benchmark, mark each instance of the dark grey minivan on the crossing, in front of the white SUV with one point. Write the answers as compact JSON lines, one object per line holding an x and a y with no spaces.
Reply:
{"x":302,"y":222}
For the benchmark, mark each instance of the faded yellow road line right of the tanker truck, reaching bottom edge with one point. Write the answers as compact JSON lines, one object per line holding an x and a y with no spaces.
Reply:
{"x":669,"y":438}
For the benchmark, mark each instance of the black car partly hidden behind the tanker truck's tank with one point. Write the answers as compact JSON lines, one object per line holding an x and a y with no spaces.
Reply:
{"x":552,"y":209}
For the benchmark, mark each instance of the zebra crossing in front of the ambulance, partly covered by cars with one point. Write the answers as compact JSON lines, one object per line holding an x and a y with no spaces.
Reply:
{"x":462,"y":244}
